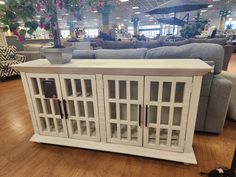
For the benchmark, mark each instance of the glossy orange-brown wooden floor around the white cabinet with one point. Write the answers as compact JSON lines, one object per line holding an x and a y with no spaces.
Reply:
{"x":21,"y":158}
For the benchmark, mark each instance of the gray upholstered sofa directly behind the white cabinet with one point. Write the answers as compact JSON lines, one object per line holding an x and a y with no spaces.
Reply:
{"x":215,"y":92}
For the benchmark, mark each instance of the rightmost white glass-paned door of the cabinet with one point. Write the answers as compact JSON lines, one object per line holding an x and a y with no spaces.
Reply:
{"x":166,"y":110}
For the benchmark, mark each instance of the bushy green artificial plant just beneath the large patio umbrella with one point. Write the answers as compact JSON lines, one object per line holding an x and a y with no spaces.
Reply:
{"x":194,"y":28}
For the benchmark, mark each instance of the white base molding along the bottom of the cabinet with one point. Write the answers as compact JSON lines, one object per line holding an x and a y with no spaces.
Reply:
{"x":187,"y":158}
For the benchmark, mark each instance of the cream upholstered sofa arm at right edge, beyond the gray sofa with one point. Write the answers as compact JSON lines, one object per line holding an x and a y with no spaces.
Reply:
{"x":232,"y":102}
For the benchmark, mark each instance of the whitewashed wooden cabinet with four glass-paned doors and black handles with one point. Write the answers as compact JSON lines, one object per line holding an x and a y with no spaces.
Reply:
{"x":137,"y":107}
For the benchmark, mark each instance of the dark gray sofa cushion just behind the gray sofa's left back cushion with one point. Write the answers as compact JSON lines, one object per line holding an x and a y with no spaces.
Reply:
{"x":117,"y":45}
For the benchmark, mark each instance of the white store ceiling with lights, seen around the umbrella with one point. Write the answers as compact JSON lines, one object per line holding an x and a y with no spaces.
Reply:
{"x":123,"y":12}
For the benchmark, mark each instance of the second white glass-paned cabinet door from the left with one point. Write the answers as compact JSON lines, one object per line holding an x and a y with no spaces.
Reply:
{"x":80,"y":102}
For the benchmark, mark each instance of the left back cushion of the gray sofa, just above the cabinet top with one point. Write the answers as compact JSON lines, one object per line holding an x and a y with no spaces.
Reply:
{"x":120,"y":54}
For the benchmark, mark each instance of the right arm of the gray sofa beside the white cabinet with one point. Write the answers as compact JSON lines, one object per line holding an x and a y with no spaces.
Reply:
{"x":218,"y":104}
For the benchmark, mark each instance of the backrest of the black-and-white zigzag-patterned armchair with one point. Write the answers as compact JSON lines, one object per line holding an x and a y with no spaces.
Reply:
{"x":7,"y":52}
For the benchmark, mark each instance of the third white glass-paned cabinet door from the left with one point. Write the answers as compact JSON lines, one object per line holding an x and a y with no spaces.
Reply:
{"x":123,"y":107}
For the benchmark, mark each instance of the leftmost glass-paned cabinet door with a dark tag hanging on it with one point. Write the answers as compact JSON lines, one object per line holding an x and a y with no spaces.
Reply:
{"x":47,"y":103}
